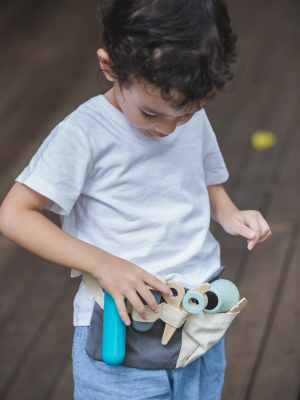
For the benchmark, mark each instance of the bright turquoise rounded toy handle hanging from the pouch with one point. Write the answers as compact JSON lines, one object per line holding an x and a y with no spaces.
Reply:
{"x":114,"y":333}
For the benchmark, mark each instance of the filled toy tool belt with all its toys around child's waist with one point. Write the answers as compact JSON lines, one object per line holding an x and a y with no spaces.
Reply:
{"x":187,"y":325}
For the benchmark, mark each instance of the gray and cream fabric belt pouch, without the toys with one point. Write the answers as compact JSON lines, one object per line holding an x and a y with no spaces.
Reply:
{"x":194,"y":335}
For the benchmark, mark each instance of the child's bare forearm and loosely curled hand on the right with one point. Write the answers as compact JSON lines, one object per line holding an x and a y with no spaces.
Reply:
{"x":250,"y":224}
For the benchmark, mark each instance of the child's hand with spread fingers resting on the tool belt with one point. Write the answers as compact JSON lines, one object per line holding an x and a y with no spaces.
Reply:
{"x":123,"y":279}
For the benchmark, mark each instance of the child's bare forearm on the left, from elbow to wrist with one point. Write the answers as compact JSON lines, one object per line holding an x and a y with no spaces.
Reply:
{"x":36,"y":233}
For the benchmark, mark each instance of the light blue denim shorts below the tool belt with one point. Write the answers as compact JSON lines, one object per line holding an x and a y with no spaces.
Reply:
{"x":94,"y":380}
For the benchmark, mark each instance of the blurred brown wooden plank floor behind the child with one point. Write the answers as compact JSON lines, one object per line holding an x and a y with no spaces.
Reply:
{"x":48,"y":67}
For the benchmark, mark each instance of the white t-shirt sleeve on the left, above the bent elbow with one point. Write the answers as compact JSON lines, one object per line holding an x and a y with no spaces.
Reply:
{"x":60,"y":167}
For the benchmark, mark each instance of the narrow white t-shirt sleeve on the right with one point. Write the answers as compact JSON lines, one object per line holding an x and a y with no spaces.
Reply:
{"x":215,"y":171}
